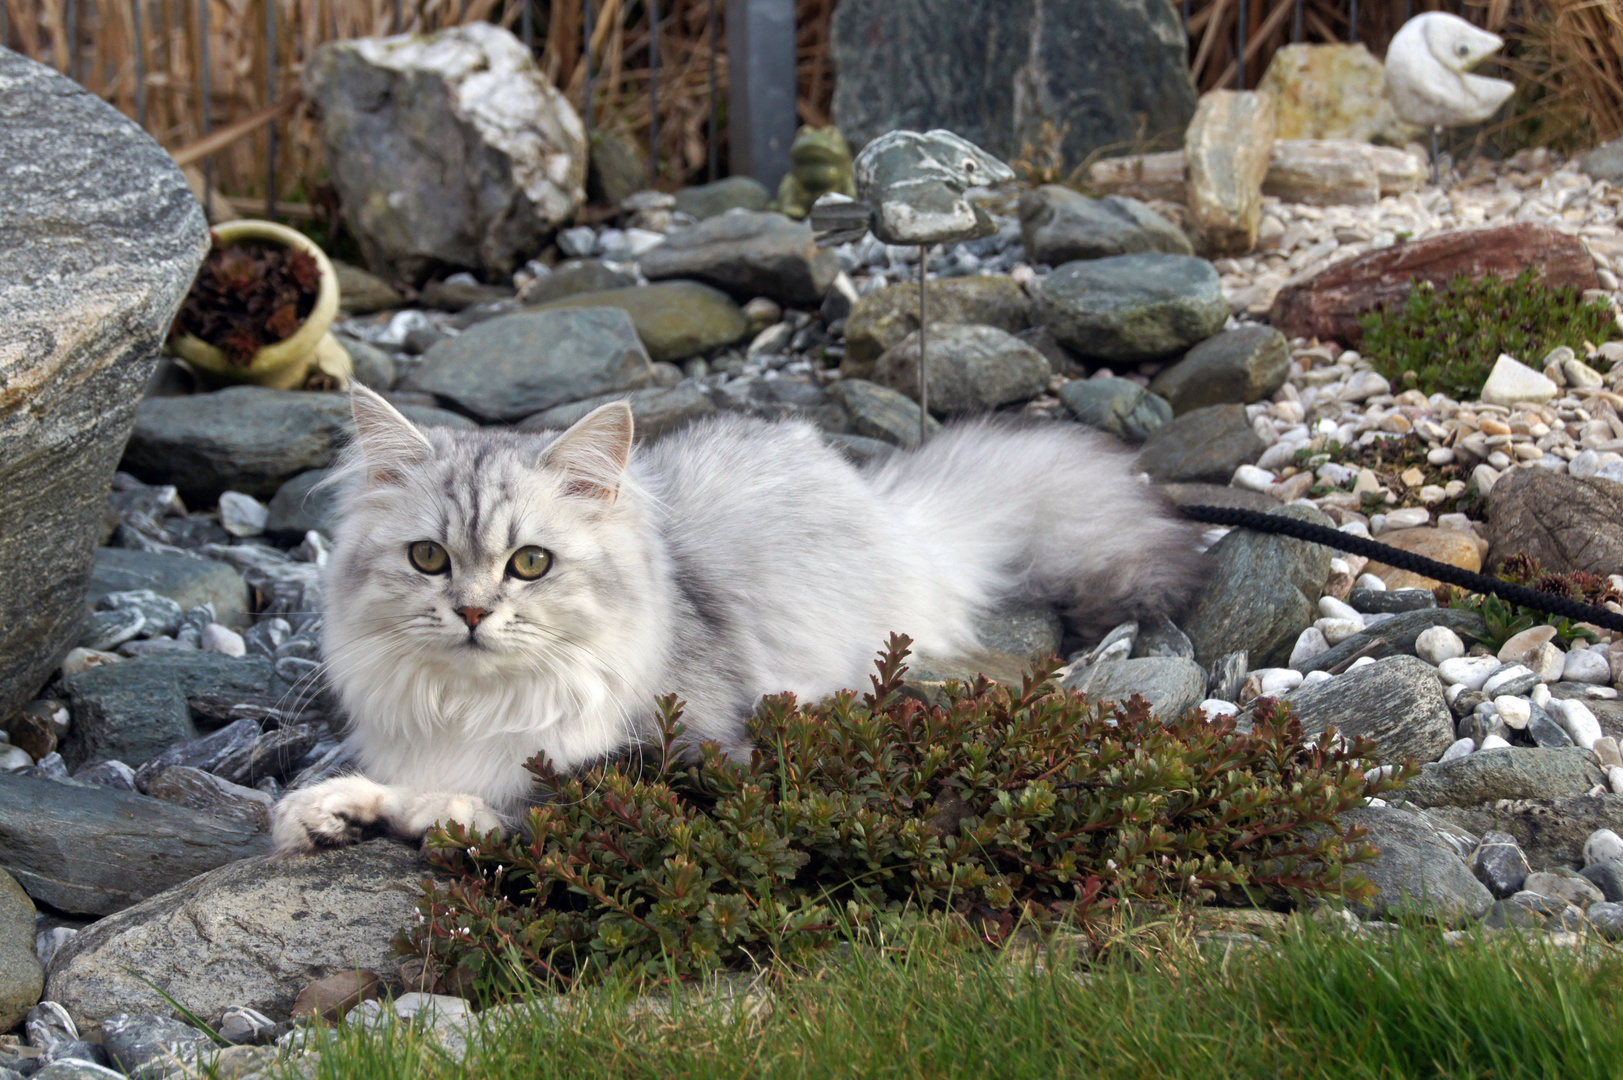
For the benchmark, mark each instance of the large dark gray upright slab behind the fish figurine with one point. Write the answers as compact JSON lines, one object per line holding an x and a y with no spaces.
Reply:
{"x":997,"y":72}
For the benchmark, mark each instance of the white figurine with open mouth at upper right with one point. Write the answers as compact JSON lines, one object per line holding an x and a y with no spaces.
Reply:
{"x":1427,"y":72}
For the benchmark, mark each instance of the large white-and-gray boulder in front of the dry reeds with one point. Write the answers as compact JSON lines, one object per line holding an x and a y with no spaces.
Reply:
{"x":450,"y":152}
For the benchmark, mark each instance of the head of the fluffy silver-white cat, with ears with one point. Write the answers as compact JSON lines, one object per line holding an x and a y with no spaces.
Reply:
{"x":481,"y":551}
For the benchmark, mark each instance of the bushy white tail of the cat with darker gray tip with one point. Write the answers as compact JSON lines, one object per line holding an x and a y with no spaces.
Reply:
{"x":1043,"y":511}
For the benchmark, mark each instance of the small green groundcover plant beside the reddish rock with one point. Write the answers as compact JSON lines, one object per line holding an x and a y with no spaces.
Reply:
{"x":1447,"y":339}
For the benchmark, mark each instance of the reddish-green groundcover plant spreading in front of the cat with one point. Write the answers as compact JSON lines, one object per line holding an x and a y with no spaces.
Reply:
{"x":867,"y":816}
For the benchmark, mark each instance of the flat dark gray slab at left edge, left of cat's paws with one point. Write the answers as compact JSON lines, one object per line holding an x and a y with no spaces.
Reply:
{"x":97,"y":852}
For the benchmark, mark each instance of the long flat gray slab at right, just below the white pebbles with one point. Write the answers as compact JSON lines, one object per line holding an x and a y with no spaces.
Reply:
{"x":1505,"y":774}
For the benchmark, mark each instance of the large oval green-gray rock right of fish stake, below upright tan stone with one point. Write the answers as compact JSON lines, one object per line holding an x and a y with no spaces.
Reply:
{"x":1134,"y":308}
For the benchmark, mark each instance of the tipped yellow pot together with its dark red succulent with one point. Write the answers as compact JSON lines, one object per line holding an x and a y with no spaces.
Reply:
{"x":260,"y":313}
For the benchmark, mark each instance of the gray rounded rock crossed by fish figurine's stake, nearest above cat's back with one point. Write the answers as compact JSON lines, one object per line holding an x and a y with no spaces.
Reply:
{"x":973,"y":369}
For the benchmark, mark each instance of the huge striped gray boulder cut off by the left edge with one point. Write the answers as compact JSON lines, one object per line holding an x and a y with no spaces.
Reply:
{"x":101,"y":241}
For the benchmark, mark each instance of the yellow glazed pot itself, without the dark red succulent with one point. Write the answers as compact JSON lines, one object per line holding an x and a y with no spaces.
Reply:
{"x":286,"y":365}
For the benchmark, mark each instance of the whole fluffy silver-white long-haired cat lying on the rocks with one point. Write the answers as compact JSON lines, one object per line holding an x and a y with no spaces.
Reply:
{"x":494,"y":594}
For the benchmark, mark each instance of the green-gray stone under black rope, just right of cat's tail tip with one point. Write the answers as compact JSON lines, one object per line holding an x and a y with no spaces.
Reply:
{"x":1262,"y":594}
